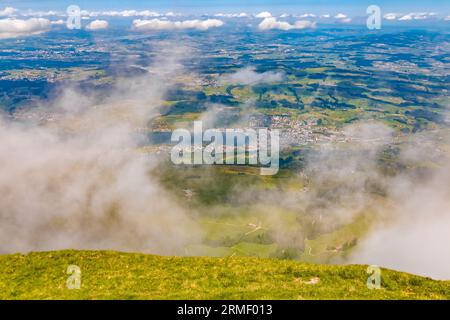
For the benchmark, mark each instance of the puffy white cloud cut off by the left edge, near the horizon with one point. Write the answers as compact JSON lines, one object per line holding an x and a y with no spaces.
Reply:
{"x":12,"y":28}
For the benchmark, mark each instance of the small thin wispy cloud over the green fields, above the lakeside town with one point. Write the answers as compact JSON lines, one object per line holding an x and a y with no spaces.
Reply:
{"x":248,"y":76}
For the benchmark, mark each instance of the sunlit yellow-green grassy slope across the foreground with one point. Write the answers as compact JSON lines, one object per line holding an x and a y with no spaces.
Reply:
{"x":112,"y":275}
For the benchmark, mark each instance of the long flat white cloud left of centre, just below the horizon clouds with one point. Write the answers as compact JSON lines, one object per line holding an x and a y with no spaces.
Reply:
{"x":157,"y":24}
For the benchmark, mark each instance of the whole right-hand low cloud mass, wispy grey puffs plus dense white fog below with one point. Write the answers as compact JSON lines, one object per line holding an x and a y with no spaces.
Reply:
{"x":411,"y":207}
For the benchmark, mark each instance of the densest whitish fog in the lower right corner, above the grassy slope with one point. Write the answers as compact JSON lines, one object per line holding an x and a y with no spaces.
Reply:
{"x":415,"y":236}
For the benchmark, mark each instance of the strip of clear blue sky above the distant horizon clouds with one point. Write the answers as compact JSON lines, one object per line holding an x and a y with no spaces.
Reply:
{"x":351,"y":7}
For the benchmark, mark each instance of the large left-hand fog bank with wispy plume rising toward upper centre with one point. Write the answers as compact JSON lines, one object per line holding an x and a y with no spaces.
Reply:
{"x":78,"y":182}
